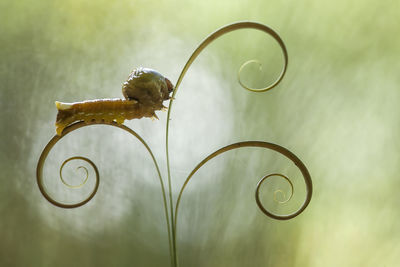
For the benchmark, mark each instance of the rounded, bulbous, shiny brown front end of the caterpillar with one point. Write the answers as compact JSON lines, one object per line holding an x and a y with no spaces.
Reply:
{"x":148,"y":87}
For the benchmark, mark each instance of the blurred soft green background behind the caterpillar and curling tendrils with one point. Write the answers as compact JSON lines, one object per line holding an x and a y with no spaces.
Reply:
{"x":337,"y":109}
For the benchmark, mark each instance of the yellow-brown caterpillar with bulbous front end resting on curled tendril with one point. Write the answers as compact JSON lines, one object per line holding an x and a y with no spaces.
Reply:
{"x":144,"y":92}
